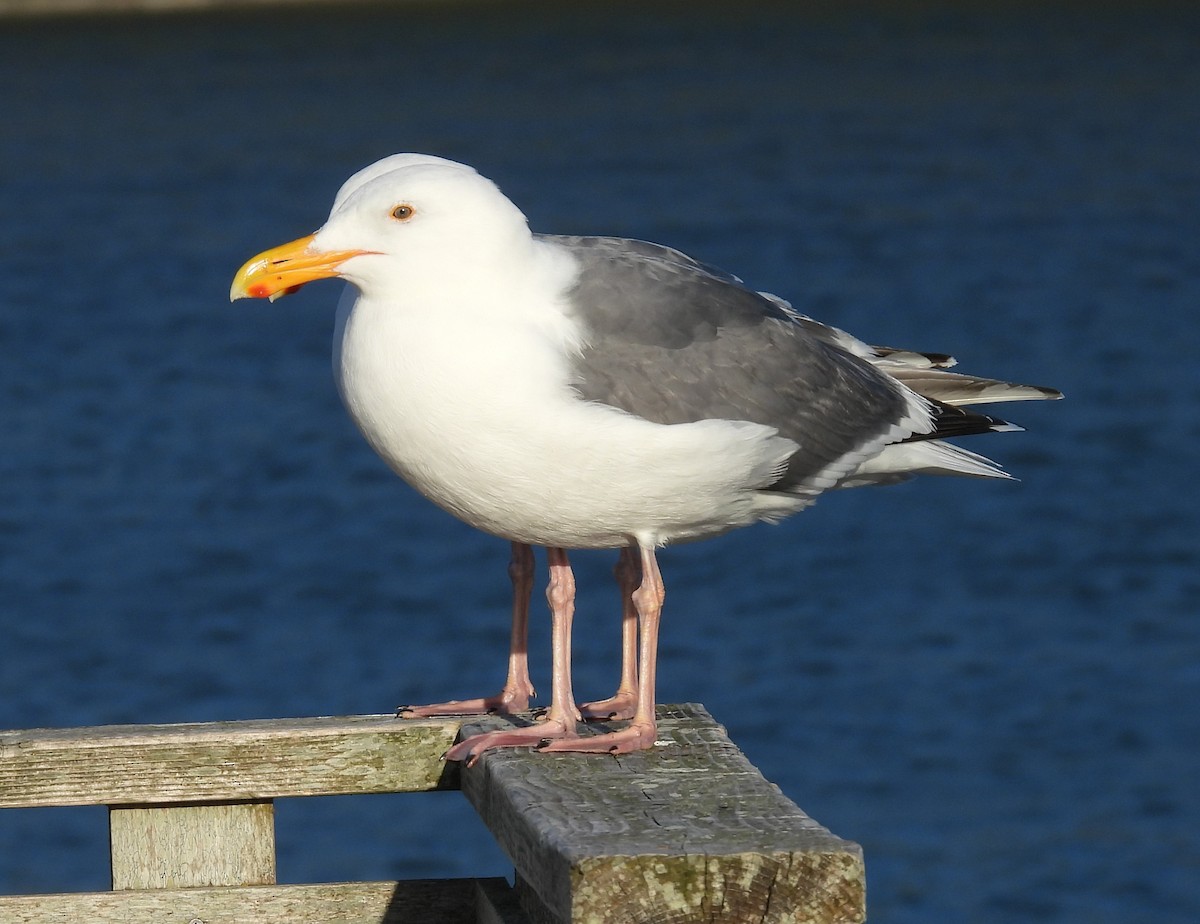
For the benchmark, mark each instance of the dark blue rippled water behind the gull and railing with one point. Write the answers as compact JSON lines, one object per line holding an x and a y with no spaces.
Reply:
{"x":992,"y":687}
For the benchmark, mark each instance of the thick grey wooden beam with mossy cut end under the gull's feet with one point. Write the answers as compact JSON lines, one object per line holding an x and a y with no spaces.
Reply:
{"x":687,"y":831}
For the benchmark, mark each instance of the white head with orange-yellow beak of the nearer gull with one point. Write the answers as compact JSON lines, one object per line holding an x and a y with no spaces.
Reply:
{"x":404,"y":219}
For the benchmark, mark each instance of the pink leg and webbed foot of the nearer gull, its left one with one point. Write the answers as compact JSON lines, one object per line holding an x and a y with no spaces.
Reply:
{"x":562,"y":716}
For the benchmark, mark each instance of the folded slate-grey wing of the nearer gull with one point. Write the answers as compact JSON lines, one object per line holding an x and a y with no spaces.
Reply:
{"x":675,"y":341}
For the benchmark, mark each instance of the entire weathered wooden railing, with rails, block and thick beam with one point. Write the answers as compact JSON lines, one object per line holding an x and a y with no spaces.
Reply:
{"x":686,"y":832}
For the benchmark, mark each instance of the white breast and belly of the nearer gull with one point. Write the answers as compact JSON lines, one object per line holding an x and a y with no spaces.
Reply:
{"x":482,"y":421}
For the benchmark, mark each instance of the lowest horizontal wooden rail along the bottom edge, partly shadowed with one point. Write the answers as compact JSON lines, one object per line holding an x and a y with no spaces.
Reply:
{"x":416,"y":902}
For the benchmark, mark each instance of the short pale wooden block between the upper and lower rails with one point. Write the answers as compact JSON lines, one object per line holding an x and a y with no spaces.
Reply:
{"x":182,"y":847}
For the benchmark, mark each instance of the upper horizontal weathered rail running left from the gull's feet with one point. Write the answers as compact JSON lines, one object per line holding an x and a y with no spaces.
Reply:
{"x":225,"y":761}
